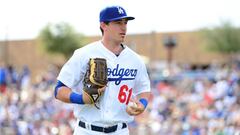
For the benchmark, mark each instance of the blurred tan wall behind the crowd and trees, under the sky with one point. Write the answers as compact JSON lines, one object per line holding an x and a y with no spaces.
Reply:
{"x":189,"y":50}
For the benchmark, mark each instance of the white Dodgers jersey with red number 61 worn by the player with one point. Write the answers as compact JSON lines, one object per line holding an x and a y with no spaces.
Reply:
{"x":127,"y":76}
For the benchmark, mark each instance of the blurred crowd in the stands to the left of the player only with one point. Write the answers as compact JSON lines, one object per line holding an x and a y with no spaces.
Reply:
{"x":30,"y":108}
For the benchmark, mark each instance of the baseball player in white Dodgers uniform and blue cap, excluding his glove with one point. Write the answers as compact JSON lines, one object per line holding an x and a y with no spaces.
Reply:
{"x":127,"y":77}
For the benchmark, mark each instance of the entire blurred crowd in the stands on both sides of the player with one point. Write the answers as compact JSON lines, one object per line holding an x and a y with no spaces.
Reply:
{"x":188,"y":102}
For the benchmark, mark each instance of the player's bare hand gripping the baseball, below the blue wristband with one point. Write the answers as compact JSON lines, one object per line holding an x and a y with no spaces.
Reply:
{"x":136,"y":109}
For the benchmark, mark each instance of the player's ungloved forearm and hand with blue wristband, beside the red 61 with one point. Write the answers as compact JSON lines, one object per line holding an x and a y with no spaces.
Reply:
{"x":141,"y":104}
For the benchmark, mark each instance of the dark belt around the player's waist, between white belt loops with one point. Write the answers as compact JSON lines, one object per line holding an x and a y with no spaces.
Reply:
{"x":102,"y":129}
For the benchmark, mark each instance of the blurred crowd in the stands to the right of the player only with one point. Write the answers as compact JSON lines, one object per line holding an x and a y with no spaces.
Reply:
{"x":199,"y":102}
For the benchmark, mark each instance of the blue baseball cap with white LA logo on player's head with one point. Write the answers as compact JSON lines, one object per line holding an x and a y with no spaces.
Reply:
{"x":113,"y":13}
